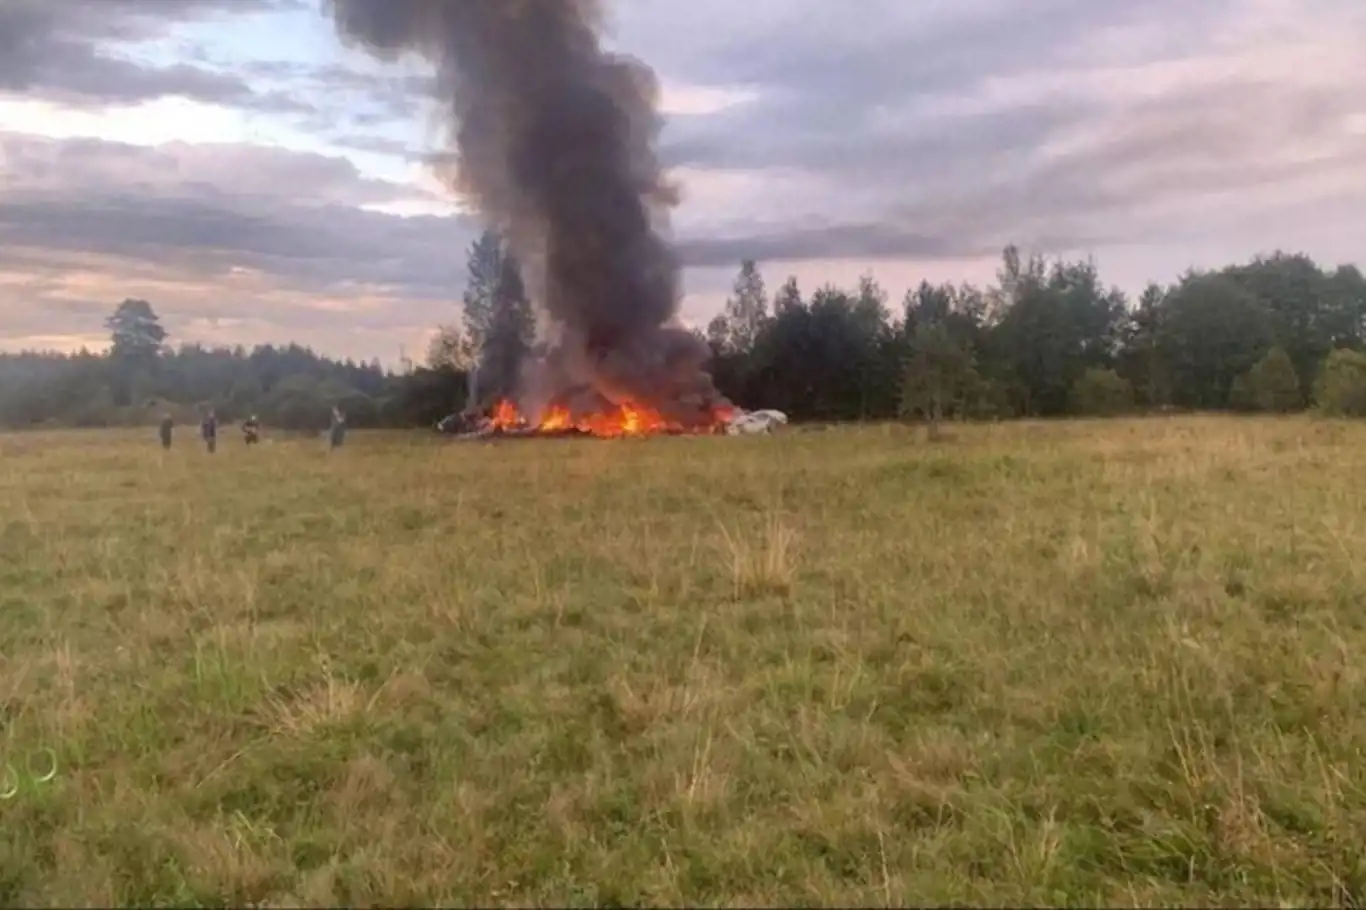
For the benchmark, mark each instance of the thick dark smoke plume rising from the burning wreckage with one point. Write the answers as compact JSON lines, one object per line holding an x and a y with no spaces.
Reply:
{"x":555,"y":146}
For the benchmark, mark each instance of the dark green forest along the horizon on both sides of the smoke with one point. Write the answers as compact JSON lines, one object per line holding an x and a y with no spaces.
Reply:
{"x":1047,"y":338}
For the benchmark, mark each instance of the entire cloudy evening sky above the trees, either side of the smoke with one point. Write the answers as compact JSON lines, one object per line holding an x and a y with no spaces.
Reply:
{"x":236,"y":165}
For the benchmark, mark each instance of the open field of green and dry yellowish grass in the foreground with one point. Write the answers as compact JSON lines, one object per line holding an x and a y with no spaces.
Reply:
{"x":1076,"y":663}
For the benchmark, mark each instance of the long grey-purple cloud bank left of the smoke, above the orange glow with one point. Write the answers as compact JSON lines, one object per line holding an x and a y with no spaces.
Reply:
{"x":290,"y":215}
